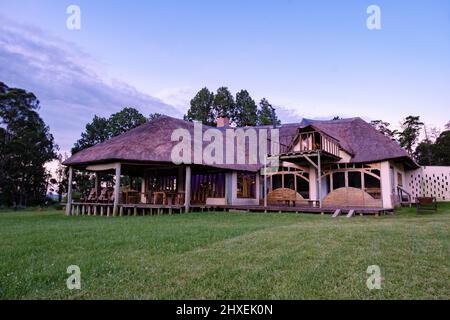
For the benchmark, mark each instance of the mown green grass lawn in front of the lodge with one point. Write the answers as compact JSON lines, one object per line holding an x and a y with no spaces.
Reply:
{"x":225,"y":256}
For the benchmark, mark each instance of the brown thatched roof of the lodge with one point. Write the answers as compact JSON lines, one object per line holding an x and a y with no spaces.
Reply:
{"x":151,"y":143}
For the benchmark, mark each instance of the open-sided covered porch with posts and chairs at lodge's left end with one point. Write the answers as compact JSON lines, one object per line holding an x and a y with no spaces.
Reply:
{"x":124,"y":188}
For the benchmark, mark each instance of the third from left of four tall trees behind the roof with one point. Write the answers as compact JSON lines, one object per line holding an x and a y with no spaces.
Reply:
{"x":245,"y":111}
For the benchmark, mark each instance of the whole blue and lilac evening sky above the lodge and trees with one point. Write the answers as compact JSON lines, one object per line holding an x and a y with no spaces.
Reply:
{"x":314,"y":59}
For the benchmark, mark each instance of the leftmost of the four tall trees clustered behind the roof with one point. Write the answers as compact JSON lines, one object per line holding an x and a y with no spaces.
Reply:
{"x":201,"y":108}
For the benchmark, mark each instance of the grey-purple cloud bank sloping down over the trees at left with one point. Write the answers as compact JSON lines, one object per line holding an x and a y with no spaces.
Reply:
{"x":69,"y":82}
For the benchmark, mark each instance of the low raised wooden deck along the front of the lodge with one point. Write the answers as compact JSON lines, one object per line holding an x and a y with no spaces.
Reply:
{"x":106,"y":209}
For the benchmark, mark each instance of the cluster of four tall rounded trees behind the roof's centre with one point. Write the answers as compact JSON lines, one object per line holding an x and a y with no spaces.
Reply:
{"x":242,"y":110}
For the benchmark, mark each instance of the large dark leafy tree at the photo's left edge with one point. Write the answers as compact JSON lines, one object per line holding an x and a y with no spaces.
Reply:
{"x":26,"y":146}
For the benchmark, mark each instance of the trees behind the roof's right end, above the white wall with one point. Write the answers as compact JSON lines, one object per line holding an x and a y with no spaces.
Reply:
{"x":432,"y":150}
